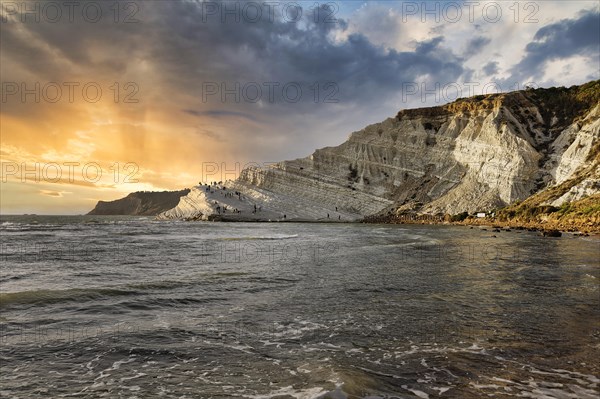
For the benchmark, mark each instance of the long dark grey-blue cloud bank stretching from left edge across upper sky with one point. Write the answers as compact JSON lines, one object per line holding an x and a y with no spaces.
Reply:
{"x":186,"y":48}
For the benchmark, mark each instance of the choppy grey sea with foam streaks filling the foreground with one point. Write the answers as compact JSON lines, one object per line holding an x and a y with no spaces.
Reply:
{"x":130,"y":307}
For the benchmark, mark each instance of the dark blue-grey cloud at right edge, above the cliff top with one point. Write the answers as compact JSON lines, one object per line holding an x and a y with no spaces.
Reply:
{"x":564,"y":39}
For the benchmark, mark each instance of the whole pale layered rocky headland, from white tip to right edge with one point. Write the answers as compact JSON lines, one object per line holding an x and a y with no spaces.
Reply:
{"x":508,"y":155}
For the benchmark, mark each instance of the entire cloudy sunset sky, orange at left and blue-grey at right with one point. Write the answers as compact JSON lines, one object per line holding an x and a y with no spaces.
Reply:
{"x":103,"y":98}
